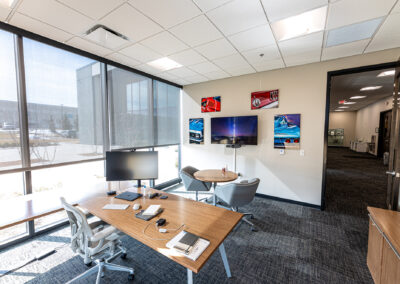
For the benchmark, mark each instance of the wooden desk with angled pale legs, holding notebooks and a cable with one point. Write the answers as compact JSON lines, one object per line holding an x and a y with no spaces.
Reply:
{"x":209,"y":222}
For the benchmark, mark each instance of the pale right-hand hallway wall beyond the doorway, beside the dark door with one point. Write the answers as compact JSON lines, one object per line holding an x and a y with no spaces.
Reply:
{"x":367,"y":120}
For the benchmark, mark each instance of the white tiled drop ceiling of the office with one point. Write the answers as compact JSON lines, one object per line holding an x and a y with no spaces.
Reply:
{"x":213,"y":39}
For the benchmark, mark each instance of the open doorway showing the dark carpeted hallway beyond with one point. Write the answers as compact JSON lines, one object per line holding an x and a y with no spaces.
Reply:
{"x":358,"y":121}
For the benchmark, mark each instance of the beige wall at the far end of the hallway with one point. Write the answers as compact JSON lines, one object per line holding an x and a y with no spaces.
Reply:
{"x":345,"y":120}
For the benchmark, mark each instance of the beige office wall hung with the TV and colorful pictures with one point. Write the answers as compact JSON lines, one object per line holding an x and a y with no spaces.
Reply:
{"x":302,"y":90}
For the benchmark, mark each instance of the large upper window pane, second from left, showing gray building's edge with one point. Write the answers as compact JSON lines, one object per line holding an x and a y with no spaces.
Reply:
{"x":65,"y":116}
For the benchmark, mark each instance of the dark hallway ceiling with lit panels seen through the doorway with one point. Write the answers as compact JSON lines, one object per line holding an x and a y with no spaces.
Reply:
{"x":344,"y":87}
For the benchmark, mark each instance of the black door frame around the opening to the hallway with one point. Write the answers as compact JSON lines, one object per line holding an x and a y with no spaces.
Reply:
{"x":328,"y":95}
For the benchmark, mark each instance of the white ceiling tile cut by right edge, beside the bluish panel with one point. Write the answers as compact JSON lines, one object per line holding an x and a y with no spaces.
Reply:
{"x":388,"y":35}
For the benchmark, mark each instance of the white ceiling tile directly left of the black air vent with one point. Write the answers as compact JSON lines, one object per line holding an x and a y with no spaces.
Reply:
{"x":57,"y":15}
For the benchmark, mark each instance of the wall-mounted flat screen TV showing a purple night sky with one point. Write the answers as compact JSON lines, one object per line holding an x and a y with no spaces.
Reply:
{"x":235,"y":130}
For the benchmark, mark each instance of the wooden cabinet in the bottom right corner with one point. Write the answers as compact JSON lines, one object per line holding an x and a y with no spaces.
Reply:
{"x":384,"y":245}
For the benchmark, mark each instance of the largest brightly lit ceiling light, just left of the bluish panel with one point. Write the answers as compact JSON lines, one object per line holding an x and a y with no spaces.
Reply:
{"x":302,"y":24}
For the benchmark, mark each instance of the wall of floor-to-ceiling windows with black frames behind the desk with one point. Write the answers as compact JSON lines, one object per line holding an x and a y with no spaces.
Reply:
{"x":60,"y":111}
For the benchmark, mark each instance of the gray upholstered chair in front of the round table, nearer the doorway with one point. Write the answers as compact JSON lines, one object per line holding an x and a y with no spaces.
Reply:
{"x":236,"y":195}
